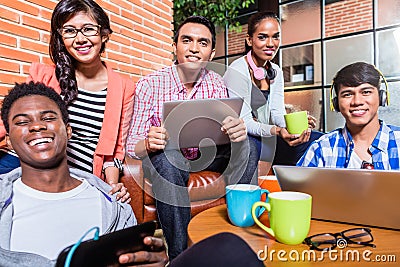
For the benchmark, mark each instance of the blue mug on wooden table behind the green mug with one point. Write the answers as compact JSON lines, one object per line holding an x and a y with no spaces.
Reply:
{"x":239,"y":200}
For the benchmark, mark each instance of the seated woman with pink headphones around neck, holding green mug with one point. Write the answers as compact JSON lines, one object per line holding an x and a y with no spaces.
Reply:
{"x":260,"y":82}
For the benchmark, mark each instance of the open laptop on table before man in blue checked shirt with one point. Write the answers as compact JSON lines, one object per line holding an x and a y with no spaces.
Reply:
{"x":360,"y":196}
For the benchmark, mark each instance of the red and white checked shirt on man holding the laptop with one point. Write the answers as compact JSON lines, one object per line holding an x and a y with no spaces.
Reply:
{"x":162,"y":86}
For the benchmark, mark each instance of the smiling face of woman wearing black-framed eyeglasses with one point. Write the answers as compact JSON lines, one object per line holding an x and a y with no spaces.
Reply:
{"x":84,"y":49}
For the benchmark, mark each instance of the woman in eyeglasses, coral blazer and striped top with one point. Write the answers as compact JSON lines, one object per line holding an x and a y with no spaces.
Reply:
{"x":99,"y":100}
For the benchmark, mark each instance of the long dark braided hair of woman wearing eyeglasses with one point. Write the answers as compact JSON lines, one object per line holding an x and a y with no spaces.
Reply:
{"x":65,"y":63}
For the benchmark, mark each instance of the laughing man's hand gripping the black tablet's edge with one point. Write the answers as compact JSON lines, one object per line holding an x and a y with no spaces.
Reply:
{"x":157,"y":256}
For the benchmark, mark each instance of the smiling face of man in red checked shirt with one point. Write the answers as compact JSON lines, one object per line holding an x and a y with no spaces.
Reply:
{"x":194,"y":44}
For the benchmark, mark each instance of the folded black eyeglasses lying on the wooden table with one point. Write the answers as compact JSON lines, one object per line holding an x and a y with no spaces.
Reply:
{"x":327,"y":241}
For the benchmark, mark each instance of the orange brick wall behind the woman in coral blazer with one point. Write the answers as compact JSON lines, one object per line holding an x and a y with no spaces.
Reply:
{"x":140,"y":43}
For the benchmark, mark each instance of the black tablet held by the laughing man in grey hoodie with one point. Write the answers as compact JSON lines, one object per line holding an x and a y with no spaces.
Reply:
{"x":106,"y":250}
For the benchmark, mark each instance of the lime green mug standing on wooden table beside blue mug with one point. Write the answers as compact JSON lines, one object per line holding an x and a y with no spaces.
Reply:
{"x":289,"y":216}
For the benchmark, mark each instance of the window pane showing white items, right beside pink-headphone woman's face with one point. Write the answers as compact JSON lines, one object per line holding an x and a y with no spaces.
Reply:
{"x":301,"y":65}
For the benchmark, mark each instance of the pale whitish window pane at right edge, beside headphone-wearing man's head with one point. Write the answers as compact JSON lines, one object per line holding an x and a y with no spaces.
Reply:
{"x":388,"y":52}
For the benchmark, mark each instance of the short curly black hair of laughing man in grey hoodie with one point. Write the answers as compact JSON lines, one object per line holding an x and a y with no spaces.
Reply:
{"x":29,"y":89}
